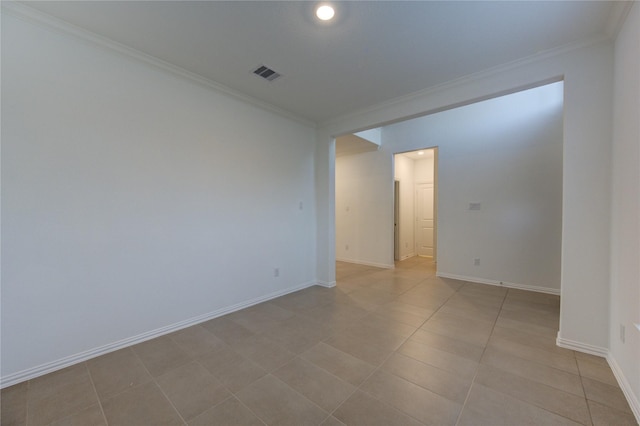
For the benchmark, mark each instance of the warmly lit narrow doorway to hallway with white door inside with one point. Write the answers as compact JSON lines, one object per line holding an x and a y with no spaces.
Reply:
{"x":415,"y":204}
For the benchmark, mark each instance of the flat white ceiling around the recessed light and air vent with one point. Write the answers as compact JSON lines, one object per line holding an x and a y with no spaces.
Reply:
{"x":373,"y":52}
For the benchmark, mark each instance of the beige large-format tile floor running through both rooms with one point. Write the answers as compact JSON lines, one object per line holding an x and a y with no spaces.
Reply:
{"x":385,"y":347}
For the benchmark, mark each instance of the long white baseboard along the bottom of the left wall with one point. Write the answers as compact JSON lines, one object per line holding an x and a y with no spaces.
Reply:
{"x":50,"y":367}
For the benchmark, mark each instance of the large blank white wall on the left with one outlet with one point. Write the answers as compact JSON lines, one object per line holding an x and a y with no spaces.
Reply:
{"x":133,"y":199}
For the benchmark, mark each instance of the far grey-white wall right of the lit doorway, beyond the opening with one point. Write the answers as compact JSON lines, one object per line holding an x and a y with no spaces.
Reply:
{"x":505,"y":153}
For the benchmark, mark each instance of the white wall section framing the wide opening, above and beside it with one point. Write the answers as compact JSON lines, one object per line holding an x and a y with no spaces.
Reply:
{"x":588,"y":75}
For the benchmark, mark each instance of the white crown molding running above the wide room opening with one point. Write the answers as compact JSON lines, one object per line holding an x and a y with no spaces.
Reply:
{"x":560,"y":50}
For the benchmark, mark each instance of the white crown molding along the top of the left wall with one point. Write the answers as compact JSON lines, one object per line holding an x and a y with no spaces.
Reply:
{"x":41,"y":19}
